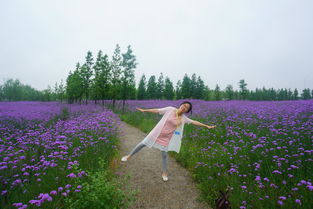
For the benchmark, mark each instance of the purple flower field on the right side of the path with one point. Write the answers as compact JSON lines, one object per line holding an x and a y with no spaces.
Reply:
{"x":260,"y":151}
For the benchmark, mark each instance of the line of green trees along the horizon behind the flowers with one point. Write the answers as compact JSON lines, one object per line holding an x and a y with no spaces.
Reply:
{"x":113,"y":78}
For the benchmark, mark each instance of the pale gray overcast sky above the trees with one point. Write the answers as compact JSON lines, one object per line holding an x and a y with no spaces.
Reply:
{"x":268,"y":43}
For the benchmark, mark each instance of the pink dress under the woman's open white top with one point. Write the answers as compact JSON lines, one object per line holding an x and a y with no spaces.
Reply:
{"x":170,"y":126}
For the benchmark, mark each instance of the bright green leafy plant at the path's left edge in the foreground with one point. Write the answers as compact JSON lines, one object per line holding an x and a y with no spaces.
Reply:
{"x":101,"y":191}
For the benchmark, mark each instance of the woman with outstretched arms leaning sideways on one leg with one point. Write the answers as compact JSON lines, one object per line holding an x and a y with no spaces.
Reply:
{"x":167,"y":134}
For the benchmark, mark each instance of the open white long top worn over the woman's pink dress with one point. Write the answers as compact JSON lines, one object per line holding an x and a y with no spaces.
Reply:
{"x":175,"y":141}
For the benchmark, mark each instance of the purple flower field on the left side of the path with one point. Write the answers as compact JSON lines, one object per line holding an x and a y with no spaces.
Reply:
{"x":37,"y":162}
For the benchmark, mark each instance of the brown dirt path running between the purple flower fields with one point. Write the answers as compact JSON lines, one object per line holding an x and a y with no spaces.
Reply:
{"x":145,"y":169}
